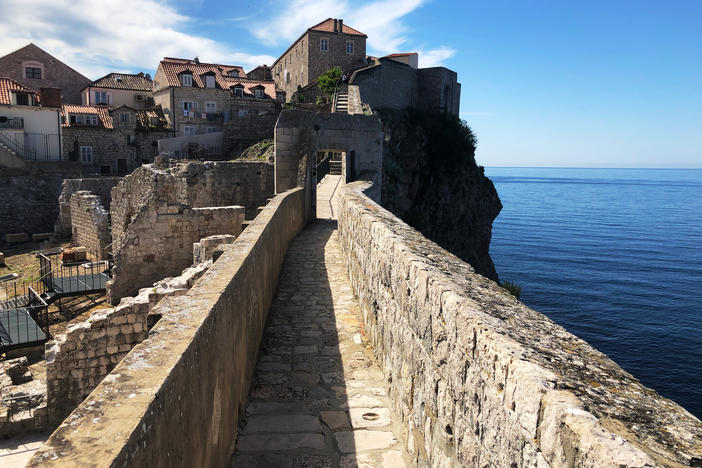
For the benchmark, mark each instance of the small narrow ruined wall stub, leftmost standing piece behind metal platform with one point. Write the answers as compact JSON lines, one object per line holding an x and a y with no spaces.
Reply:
{"x":90,"y":224}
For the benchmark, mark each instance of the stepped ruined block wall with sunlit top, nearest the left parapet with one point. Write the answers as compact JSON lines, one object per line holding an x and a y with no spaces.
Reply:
{"x":78,"y":360}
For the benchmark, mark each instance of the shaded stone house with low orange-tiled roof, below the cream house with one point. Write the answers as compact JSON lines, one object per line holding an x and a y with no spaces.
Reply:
{"x":110,"y":141}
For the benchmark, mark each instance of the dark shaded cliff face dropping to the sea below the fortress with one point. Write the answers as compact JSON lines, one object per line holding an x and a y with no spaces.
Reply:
{"x":431,"y":181}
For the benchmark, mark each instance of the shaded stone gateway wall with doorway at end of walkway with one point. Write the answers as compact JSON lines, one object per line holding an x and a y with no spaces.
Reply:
{"x":298,"y":133}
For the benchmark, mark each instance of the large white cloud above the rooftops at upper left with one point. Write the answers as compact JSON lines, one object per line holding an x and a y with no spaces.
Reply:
{"x":101,"y":36}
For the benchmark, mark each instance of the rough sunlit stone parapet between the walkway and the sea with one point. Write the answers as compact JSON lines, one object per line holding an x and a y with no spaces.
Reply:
{"x":480,"y":379}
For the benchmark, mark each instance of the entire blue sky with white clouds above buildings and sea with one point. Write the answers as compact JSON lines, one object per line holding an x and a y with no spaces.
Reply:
{"x":544,"y":83}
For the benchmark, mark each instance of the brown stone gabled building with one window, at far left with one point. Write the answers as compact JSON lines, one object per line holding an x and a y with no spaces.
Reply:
{"x":35,"y":68}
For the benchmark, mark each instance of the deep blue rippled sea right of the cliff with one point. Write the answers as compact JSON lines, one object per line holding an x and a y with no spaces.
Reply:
{"x":615,"y":257}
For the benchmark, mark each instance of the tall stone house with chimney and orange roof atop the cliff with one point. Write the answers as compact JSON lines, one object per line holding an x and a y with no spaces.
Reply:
{"x":323,"y":46}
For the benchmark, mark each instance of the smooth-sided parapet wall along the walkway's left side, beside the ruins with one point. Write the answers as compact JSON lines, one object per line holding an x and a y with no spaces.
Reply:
{"x":174,"y":399}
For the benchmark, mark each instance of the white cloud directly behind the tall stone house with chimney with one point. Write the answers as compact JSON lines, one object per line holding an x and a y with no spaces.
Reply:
{"x":379,"y":19}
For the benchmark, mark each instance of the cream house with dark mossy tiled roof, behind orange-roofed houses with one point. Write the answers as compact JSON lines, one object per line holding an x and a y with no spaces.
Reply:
{"x":120,"y":89}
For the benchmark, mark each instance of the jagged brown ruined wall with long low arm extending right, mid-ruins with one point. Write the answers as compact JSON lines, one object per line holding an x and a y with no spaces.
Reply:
{"x":159,"y":242}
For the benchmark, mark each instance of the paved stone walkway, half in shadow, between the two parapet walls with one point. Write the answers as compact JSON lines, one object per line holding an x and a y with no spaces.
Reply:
{"x":318,"y":397}
